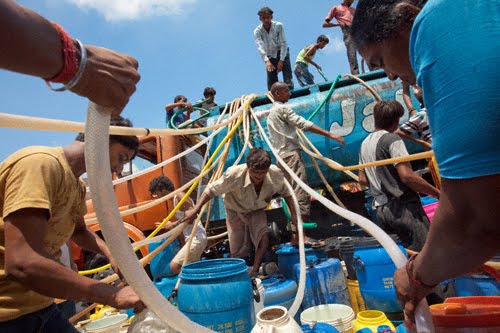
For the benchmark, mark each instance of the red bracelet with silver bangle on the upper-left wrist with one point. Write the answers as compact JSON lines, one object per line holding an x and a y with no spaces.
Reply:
{"x":71,"y":72}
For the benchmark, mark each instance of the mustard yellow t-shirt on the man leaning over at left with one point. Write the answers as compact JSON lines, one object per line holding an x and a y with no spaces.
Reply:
{"x":37,"y":177}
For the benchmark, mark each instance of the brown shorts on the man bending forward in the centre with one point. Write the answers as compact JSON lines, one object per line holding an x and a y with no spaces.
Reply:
{"x":243,"y":228}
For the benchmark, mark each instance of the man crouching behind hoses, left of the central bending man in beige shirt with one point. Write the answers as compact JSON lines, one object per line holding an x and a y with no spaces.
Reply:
{"x":162,"y":186}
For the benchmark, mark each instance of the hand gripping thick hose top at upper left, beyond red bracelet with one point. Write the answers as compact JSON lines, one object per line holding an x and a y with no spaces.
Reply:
{"x":109,"y":78}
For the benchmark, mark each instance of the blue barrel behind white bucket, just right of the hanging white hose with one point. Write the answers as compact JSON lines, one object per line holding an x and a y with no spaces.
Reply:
{"x":325,"y":283}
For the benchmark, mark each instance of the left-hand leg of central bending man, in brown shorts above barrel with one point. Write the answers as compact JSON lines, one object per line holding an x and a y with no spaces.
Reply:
{"x":239,"y":241}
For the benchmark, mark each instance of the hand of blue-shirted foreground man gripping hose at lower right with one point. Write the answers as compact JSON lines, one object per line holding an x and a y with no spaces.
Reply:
{"x":409,"y":295}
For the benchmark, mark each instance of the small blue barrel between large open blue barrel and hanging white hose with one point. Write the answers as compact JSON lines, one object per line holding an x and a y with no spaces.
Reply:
{"x":279,"y":291}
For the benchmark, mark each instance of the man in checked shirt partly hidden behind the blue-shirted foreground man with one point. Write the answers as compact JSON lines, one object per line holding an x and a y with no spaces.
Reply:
{"x":418,"y":123}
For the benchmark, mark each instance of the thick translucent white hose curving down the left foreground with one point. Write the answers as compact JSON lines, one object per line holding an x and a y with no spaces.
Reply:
{"x":99,"y":175}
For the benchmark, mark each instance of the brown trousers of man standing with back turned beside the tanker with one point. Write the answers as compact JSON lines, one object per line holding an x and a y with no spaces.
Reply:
{"x":294,"y":160}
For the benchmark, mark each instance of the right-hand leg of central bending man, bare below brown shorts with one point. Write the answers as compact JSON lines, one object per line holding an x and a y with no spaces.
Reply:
{"x":257,"y":228}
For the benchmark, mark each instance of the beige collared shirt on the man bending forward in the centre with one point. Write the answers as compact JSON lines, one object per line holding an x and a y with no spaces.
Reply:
{"x":239,"y":191}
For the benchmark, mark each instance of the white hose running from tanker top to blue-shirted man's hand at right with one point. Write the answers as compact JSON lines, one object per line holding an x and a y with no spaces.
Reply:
{"x":422,"y":316}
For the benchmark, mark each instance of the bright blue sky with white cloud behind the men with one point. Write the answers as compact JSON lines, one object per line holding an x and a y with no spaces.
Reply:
{"x":182,"y":46}
